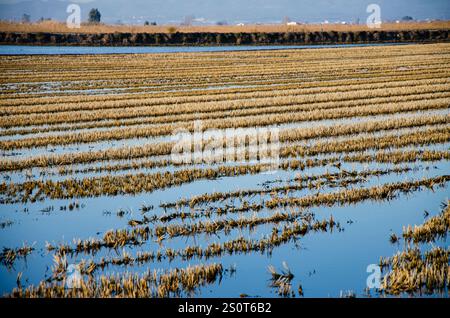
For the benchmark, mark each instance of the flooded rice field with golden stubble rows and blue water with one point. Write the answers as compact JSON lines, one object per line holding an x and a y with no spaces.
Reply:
{"x":304,"y":173}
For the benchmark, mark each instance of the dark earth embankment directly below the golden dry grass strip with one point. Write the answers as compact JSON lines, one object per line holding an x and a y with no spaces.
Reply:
{"x":207,"y":38}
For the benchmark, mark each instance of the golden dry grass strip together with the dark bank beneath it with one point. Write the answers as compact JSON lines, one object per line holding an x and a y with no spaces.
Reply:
{"x":101,"y":35}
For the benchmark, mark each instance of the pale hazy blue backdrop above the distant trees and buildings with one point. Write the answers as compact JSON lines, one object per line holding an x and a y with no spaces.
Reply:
{"x":232,"y":11}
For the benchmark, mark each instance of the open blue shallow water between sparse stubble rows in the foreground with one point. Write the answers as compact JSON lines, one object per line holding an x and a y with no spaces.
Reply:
{"x":324,"y":263}
